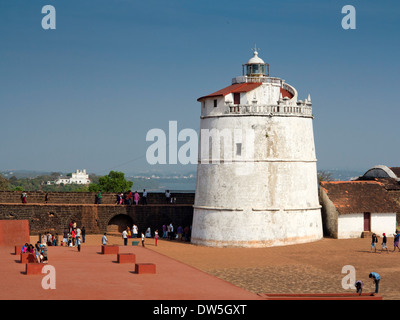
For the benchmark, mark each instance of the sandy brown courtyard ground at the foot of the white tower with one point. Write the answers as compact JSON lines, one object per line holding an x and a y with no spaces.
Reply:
{"x":304,"y":268}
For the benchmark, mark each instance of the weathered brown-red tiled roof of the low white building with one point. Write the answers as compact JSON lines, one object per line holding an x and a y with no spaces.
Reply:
{"x":359,"y":197}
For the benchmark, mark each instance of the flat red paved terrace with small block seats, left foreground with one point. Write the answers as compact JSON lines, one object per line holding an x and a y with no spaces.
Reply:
{"x":91,"y":275}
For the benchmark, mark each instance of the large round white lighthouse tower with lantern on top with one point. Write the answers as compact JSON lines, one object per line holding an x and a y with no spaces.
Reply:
{"x":256,"y":176}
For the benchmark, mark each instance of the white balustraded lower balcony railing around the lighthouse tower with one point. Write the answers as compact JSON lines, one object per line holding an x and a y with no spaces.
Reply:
{"x":270,"y":110}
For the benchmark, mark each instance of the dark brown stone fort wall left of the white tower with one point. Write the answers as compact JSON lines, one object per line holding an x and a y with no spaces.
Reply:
{"x":63,"y":207}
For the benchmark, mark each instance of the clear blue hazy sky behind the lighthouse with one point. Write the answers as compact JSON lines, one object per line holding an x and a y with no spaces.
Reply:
{"x":84,"y":96}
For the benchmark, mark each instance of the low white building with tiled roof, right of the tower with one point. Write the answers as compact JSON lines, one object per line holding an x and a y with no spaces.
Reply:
{"x":350,"y":208}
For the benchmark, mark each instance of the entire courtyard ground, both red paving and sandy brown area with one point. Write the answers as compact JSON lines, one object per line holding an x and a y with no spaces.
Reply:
{"x":186,"y":271}
